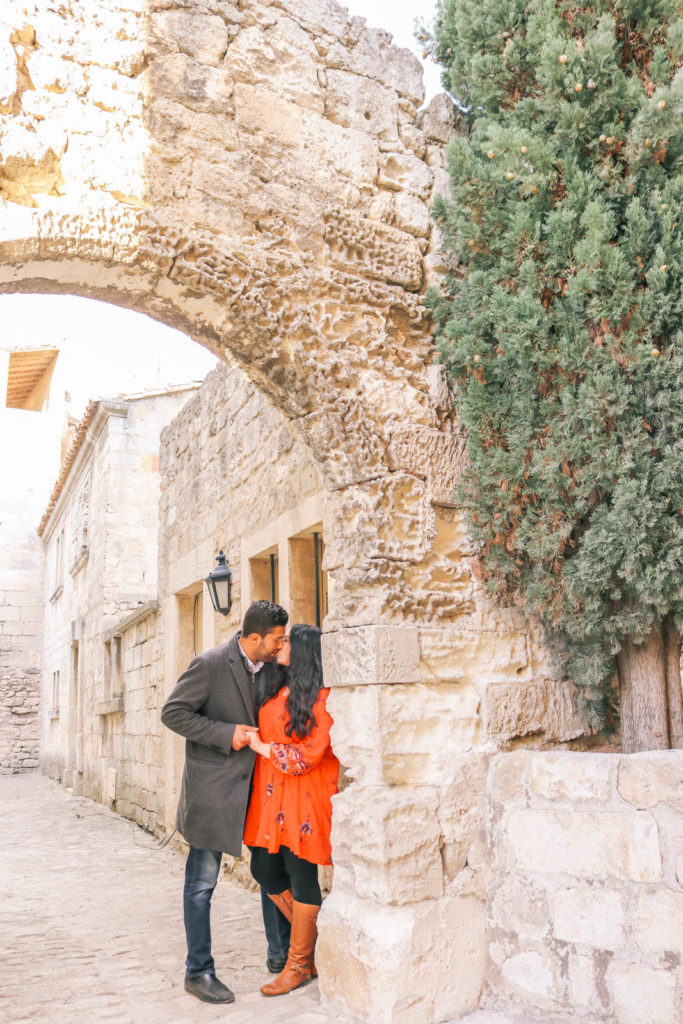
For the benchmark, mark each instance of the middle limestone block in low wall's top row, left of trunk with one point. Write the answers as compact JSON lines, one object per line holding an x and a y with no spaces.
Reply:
{"x":574,"y":777}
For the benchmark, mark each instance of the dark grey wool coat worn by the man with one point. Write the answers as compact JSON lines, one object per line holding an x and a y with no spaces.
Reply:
{"x":215,"y":695}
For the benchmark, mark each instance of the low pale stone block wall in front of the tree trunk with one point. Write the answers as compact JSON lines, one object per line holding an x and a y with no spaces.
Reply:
{"x":586,"y":884}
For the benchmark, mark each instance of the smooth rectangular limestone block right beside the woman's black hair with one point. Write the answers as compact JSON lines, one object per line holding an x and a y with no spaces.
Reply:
{"x":371,"y":655}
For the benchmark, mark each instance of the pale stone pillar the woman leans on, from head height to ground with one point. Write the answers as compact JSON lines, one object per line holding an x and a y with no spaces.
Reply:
{"x":397,"y":945}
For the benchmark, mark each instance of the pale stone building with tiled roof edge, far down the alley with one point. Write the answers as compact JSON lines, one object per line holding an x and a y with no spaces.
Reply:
{"x":100,"y":535}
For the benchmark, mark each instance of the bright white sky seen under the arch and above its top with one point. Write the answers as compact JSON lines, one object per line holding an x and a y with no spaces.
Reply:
{"x":105,"y":343}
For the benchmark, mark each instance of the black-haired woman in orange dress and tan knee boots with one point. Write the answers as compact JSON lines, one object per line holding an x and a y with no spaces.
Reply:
{"x":290,"y":812}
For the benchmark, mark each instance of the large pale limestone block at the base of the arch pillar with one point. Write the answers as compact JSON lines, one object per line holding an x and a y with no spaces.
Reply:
{"x":362,"y":949}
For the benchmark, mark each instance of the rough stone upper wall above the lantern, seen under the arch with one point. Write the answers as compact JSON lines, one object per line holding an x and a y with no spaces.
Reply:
{"x":229,"y":464}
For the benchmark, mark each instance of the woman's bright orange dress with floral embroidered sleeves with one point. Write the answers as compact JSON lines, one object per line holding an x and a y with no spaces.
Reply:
{"x":291,"y":801}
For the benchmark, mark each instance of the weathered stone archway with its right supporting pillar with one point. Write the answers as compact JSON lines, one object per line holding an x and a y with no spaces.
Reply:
{"x":258,"y":176}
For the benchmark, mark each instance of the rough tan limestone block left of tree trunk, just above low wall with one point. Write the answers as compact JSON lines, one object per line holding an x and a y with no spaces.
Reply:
{"x":522,"y":708}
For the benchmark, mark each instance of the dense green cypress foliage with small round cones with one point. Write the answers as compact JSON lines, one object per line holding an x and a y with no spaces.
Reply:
{"x":563,"y":328}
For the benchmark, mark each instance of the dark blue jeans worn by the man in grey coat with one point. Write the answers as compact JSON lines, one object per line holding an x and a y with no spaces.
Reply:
{"x":201,"y":878}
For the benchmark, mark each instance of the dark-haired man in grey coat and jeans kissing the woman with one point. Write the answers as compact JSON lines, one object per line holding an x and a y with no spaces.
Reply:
{"x":212,"y":706}
